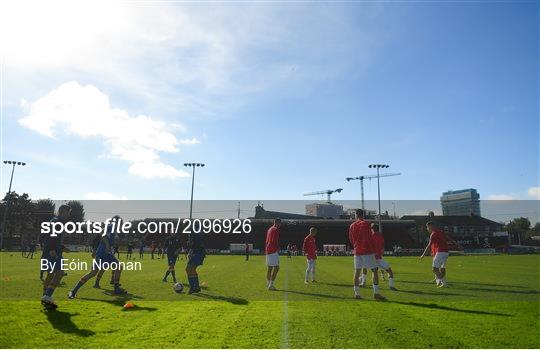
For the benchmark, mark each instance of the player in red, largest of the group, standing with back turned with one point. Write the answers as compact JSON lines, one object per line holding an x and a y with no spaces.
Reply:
{"x":364,"y":254}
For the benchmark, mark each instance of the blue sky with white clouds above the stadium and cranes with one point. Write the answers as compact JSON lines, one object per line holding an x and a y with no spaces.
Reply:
{"x":277,"y":99}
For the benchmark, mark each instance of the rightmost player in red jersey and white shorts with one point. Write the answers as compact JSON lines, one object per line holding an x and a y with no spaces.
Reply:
{"x":439,"y":251}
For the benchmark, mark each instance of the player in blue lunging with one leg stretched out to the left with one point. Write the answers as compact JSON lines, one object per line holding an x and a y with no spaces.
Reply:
{"x":104,"y":254}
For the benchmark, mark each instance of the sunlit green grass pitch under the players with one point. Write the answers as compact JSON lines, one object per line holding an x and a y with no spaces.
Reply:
{"x":492,"y":301}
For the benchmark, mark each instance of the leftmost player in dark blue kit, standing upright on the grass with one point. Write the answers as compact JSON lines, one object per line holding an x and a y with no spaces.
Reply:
{"x":52,"y":256}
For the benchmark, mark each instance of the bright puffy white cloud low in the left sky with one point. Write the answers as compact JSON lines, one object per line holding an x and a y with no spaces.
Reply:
{"x":86,"y":112}
